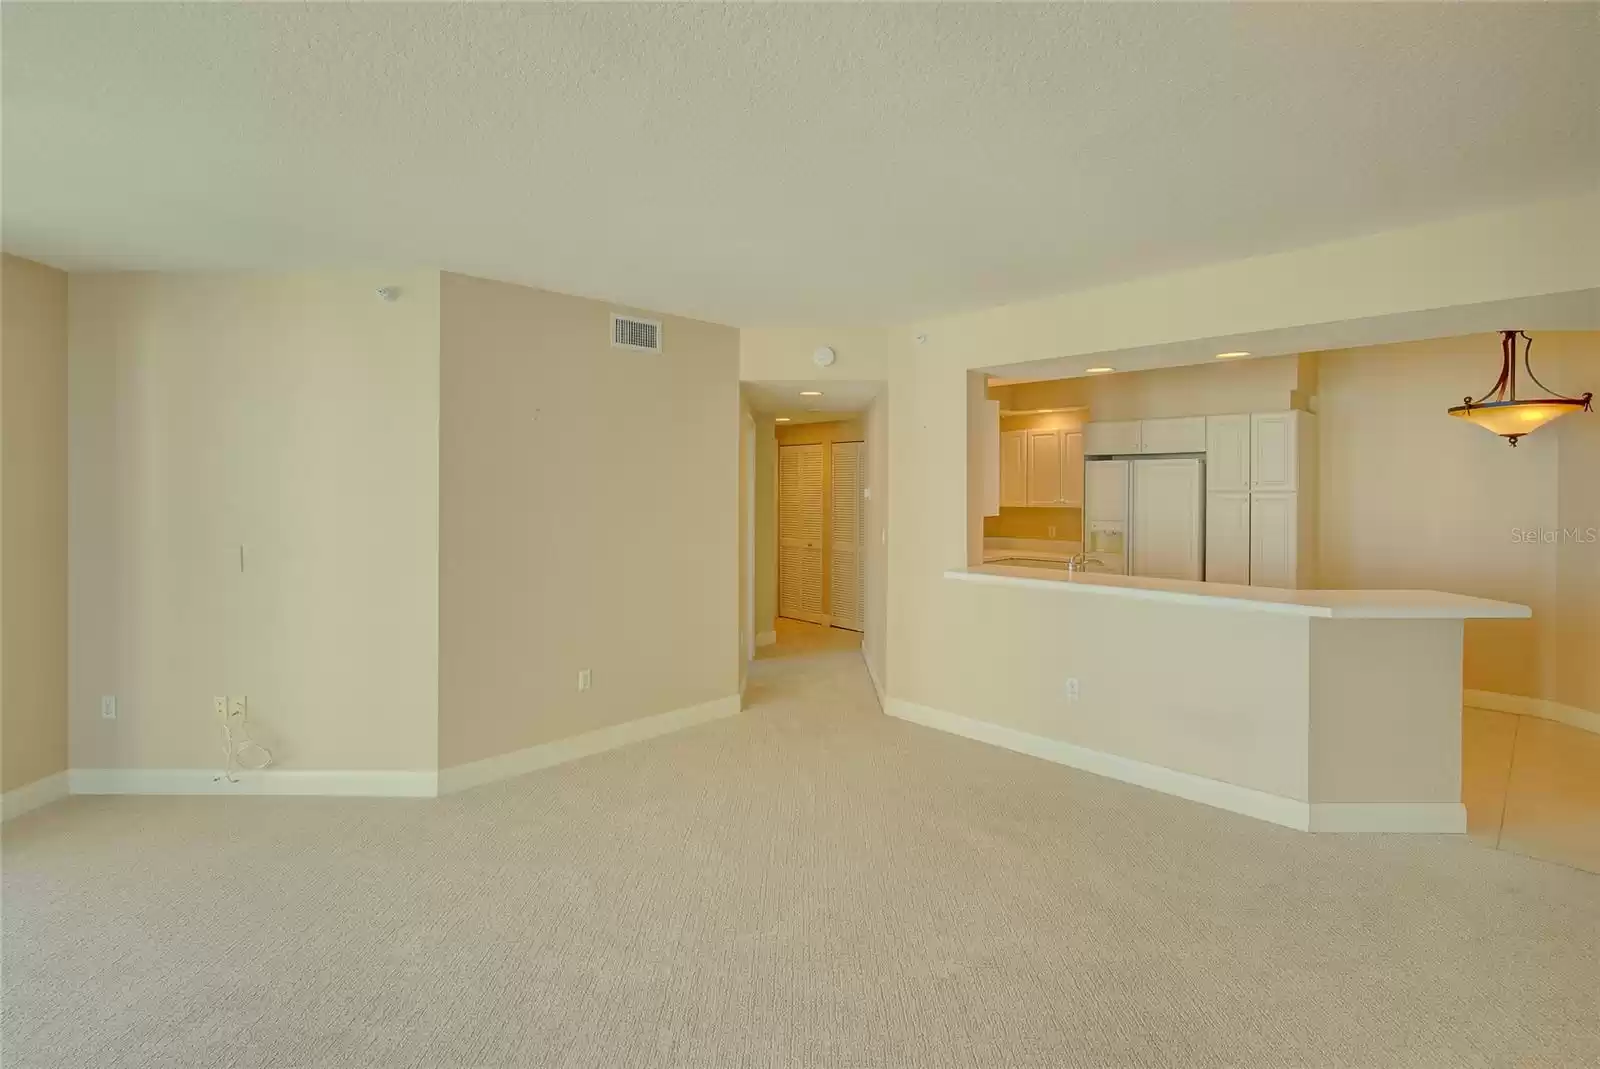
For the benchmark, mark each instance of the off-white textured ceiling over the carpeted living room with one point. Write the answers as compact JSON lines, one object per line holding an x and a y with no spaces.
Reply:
{"x":777,"y":164}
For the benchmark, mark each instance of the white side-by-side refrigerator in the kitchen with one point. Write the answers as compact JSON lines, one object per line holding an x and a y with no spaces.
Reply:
{"x":1146,"y":516}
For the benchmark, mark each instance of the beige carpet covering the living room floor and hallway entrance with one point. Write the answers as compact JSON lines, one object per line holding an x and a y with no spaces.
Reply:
{"x":810,"y":884}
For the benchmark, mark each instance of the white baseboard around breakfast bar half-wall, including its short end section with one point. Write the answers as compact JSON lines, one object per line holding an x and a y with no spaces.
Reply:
{"x":1322,"y":817}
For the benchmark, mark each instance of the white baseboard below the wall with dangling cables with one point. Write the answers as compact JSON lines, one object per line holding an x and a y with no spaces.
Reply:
{"x":306,"y":782}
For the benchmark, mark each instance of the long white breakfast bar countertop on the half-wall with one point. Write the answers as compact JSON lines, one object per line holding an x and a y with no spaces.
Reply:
{"x":1260,"y":599}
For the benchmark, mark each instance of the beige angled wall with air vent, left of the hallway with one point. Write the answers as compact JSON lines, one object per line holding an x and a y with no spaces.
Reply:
{"x":590,"y":516}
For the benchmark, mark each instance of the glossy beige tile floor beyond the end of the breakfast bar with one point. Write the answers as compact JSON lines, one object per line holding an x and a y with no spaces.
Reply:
{"x":1532,"y":787}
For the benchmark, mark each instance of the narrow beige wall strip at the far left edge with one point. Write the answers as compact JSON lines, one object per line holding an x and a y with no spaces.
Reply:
{"x":33,"y":522}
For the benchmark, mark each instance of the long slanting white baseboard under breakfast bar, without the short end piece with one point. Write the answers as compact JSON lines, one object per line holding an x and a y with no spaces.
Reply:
{"x":1223,"y":796}
